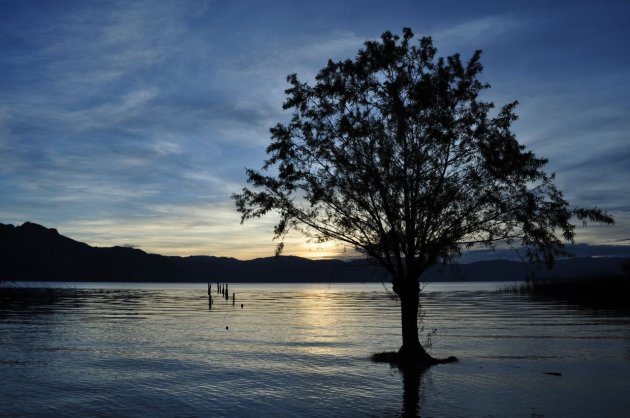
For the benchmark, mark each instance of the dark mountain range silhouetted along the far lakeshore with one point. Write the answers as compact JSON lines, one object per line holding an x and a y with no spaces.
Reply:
{"x":36,"y":253}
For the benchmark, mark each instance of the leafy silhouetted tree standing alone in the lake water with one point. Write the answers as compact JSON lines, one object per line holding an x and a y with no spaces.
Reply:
{"x":394,"y":153}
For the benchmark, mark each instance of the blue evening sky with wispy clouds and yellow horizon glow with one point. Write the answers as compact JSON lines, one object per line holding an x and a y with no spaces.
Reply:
{"x":132,"y":122}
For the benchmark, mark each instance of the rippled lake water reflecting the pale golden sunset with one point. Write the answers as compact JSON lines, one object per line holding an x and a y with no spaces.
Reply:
{"x":302,"y":350}
